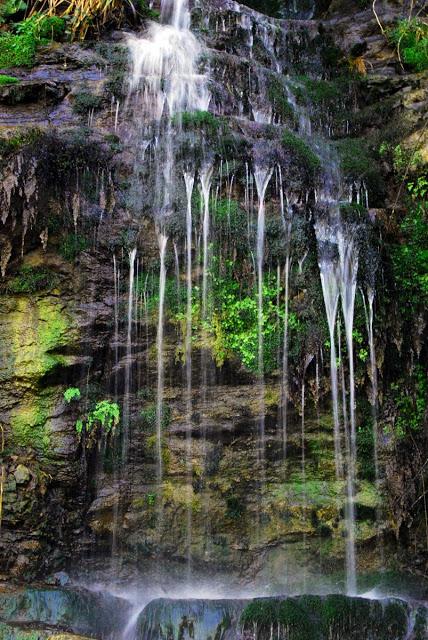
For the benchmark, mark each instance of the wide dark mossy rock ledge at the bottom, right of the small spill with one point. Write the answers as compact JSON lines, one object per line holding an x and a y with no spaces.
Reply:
{"x":299,"y":618}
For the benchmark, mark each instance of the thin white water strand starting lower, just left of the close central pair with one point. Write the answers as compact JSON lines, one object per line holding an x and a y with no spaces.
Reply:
{"x":162,"y":240}
